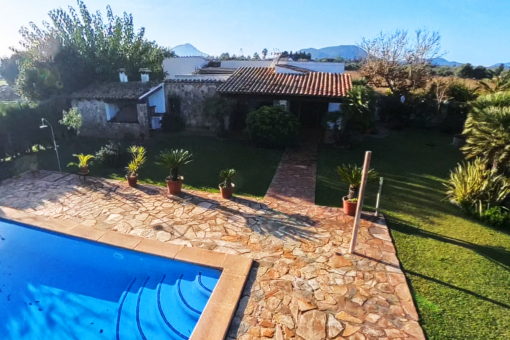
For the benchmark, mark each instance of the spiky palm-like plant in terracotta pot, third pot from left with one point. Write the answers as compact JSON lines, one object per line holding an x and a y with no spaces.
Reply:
{"x":174,"y":159}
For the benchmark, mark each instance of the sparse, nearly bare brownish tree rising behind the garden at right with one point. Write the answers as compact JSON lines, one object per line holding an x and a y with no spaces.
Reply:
{"x":401,"y":63}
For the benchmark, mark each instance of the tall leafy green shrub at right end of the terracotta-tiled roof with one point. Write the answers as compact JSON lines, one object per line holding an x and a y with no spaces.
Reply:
{"x":360,"y":105}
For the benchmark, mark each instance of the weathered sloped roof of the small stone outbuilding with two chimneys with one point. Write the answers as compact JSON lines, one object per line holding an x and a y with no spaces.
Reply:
{"x":116,"y":90}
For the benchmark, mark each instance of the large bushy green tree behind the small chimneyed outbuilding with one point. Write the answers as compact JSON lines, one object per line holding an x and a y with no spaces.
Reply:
{"x":78,"y":48}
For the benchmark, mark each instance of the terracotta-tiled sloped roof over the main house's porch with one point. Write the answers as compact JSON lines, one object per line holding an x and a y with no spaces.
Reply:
{"x":266,"y":81}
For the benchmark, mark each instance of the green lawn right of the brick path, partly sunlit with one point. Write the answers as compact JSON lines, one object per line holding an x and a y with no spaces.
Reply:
{"x":459,"y":269}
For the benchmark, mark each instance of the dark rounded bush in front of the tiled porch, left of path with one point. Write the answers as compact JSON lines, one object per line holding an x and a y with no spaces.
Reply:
{"x":272,"y":127}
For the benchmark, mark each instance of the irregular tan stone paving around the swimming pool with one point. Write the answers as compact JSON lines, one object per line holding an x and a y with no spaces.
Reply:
{"x":303,"y":284}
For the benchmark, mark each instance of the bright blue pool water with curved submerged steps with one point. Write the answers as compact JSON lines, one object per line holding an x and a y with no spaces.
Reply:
{"x":60,"y":288}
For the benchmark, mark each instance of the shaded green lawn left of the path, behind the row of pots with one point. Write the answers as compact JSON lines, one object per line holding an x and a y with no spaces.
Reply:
{"x":255,"y":166}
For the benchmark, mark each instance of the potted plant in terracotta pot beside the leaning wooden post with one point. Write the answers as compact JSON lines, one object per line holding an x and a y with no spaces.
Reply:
{"x":352,"y":175}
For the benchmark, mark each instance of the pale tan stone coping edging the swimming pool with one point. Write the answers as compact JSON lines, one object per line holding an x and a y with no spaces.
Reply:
{"x":215,"y":320}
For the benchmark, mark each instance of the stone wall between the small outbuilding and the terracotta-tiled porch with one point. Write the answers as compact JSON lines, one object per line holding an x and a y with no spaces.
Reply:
{"x":192,"y":95}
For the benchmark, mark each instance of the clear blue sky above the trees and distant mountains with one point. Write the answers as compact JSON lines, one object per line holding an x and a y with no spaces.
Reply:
{"x":473,"y":31}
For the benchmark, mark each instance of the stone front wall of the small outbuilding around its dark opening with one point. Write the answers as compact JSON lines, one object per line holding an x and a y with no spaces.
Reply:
{"x":96,"y":125}
